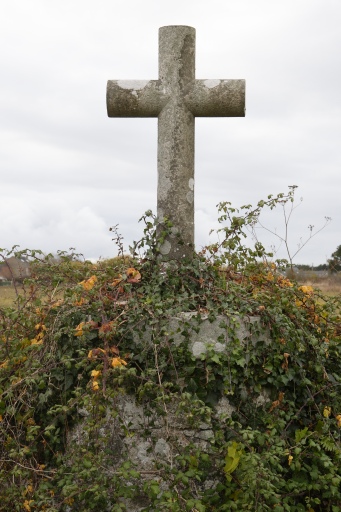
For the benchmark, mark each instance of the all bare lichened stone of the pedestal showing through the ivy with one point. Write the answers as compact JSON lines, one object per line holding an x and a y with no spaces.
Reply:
{"x":149,"y":439}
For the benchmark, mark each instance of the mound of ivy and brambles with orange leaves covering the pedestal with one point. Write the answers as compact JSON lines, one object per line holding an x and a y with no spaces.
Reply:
{"x":75,"y":341}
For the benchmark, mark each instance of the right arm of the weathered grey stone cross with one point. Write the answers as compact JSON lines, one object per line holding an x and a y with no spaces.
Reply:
{"x":216,"y":98}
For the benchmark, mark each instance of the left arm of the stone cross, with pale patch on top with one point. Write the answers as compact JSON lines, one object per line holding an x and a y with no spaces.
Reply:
{"x":135,"y":98}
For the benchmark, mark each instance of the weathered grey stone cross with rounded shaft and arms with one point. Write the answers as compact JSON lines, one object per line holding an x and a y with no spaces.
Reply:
{"x":176,"y":98}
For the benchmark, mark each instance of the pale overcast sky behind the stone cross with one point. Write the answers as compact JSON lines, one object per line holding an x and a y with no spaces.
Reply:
{"x":68,"y":172}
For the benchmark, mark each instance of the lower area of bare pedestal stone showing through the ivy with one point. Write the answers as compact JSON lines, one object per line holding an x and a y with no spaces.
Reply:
{"x":147,"y":440}
